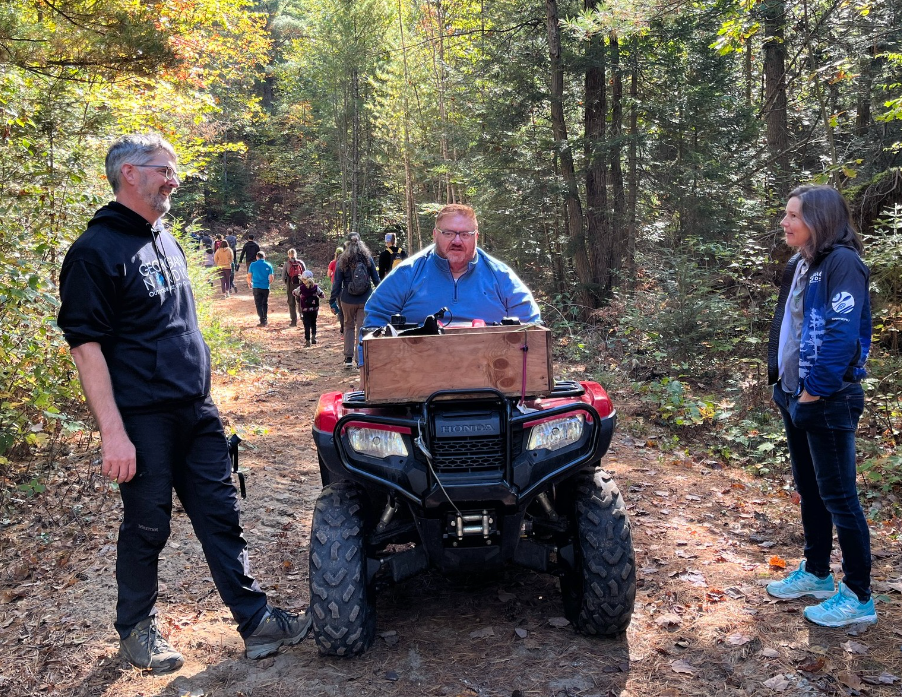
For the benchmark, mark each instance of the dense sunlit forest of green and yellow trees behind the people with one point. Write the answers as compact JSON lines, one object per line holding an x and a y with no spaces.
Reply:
{"x":630,"y":159}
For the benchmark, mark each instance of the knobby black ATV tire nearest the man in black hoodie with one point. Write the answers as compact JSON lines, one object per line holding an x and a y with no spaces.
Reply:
{"x":344,"y":618}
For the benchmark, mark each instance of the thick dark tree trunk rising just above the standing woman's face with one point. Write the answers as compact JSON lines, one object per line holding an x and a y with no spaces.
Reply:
{"x":775,"y":94}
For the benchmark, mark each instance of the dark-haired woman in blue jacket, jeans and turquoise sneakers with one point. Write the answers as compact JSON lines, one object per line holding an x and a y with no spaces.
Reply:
{"x":819,"y":341}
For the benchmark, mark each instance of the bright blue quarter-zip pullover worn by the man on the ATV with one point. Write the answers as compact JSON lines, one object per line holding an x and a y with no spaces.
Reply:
{"x":423,"y":284}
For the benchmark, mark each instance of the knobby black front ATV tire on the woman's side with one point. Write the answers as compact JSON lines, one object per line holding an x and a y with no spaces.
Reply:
{"x":599,"y":593}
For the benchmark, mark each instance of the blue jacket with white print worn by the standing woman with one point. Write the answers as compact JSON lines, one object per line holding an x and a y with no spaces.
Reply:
{"x":836,"y":328}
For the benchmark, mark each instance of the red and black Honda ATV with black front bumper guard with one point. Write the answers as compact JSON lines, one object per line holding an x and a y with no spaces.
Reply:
{"x":467,"y":481}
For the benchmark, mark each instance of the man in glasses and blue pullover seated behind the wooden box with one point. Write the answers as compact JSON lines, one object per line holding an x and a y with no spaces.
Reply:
{"x":452,"y":273}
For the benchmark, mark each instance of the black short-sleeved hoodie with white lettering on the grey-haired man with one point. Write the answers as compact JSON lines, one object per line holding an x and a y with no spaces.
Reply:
{"x":125,"y":285}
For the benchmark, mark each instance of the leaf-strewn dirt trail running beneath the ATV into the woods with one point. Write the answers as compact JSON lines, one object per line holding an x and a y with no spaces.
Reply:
{"x":704,"y":537}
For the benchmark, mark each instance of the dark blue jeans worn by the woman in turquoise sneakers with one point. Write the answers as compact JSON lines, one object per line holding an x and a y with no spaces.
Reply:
{"x":821,"y":440}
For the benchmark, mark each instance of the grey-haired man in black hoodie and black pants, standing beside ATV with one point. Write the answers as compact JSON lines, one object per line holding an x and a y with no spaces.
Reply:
{"x":128,"y":315}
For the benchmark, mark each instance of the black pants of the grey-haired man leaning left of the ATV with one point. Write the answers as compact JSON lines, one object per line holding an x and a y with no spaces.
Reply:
{"x":183,"y":448}
